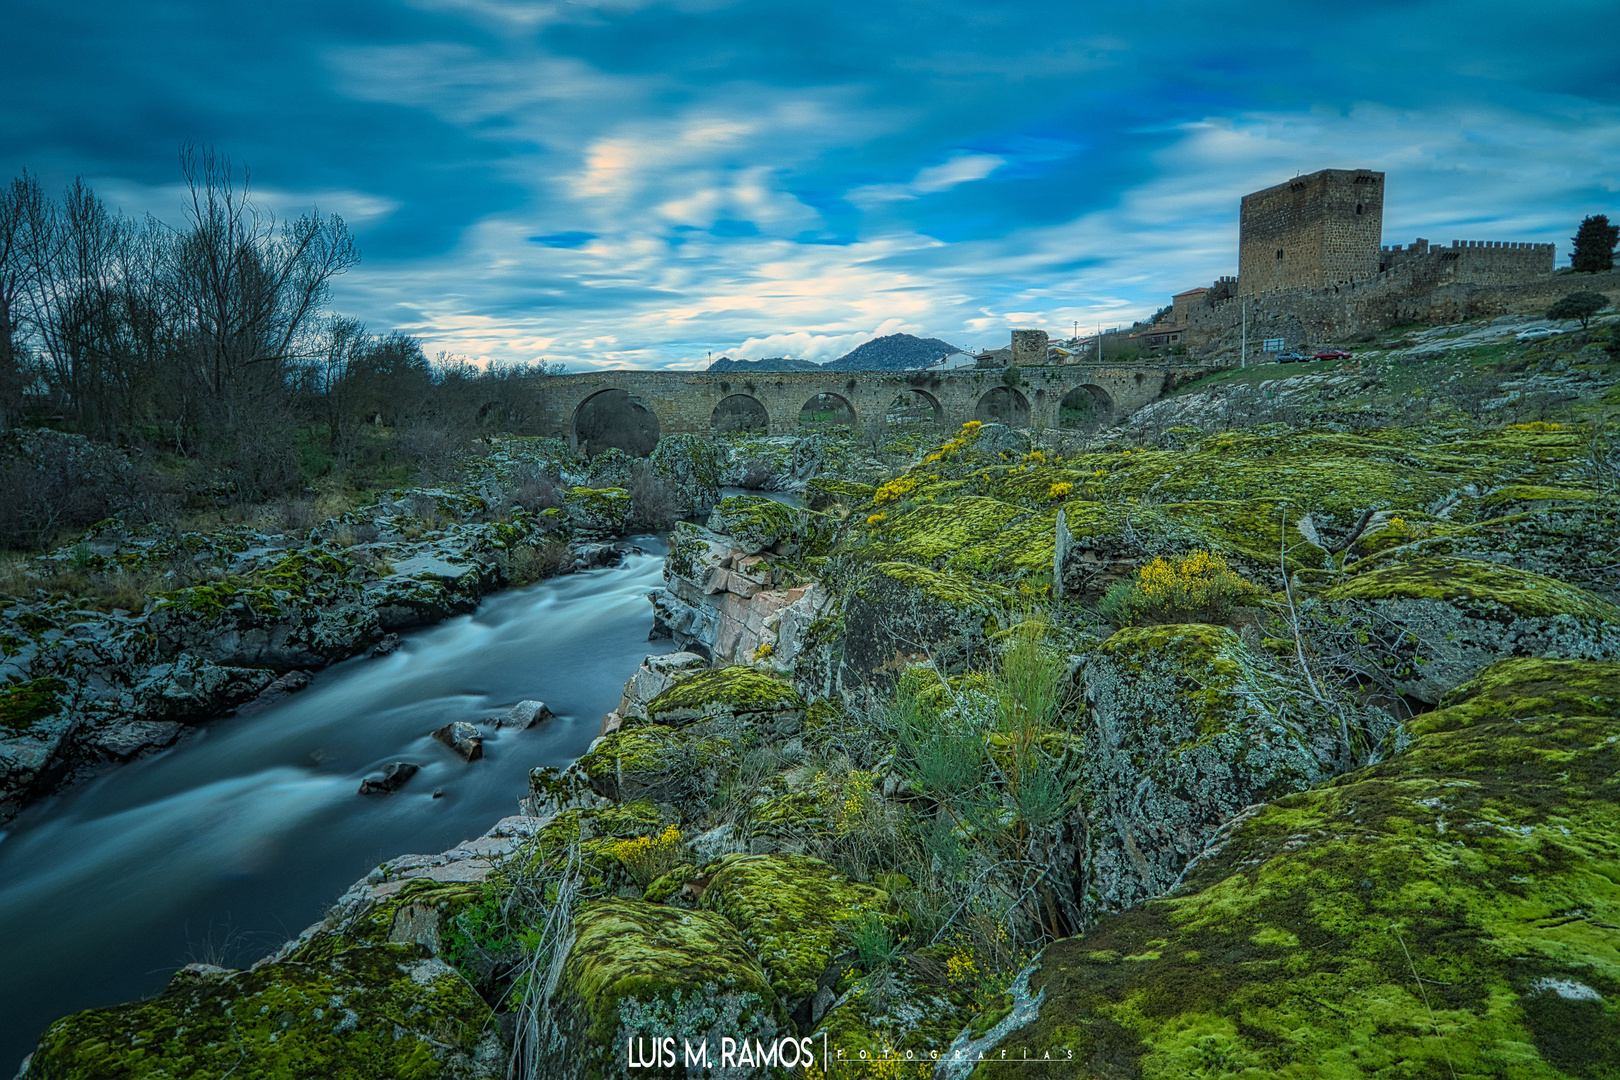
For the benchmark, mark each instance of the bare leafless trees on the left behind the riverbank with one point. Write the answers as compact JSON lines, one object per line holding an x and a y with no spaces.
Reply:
{"x":213,"y":341}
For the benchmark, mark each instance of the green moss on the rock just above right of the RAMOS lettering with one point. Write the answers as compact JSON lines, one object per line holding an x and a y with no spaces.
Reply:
{"x":793,"y":911}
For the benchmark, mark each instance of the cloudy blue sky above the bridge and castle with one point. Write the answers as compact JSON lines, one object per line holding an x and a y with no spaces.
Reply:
{"x":644,"y":182}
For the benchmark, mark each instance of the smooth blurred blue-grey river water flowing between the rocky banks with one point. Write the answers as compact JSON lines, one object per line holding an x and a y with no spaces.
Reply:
{"x":242,"y":836}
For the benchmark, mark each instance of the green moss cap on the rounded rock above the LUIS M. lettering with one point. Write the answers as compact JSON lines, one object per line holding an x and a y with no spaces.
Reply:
{"x":644,"y":953}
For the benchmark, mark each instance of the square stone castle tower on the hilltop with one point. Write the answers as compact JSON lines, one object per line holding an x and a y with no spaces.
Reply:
{"x":1311,"y":232}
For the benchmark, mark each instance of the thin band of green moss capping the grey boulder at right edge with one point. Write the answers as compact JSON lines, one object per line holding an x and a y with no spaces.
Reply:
{"x":1477,"y":582}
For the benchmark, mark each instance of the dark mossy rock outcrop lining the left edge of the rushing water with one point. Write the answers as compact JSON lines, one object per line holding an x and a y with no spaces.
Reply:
{"x":85,"y":687}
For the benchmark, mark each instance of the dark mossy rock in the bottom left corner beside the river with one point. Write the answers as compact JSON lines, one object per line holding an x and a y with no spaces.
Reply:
{"x":360,"y":1011}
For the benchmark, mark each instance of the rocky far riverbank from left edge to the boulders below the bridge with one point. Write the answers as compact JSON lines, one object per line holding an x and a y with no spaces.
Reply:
{"x":241,"y":616}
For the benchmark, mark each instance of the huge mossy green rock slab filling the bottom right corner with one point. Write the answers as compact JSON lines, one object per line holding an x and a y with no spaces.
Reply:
{"x":1446,"y":912}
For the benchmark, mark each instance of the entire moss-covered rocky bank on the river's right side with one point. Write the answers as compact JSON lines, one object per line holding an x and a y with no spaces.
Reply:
{"x":1269,"y":750}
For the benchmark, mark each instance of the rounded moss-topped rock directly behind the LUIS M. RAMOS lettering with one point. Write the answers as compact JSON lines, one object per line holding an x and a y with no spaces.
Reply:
{"x":649,"y":971}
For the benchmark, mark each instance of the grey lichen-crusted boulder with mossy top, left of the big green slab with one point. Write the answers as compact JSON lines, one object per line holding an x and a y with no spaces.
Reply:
{"x":1187,"y":728}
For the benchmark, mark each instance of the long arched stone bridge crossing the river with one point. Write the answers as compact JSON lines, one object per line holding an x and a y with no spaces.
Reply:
{"x":634,"y":409}
